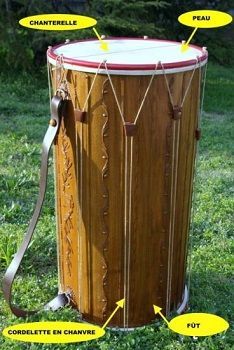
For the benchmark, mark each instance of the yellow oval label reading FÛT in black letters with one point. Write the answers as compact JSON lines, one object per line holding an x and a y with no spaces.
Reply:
{"x":198,"y":324}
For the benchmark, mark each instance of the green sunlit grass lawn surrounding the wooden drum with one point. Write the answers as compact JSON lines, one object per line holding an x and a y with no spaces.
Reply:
{"x":23,"y":121}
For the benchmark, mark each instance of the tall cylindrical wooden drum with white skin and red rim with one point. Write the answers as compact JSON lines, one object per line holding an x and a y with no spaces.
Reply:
{"x":124,"y":165}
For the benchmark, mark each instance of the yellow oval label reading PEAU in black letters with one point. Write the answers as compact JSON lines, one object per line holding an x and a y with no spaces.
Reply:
{"x":205,"y":19}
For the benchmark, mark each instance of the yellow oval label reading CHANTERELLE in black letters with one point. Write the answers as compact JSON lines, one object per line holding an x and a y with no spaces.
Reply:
{"x":57,"y":22}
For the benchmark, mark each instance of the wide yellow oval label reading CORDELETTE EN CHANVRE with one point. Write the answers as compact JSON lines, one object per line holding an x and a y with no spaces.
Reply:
{"x":53,"y":332}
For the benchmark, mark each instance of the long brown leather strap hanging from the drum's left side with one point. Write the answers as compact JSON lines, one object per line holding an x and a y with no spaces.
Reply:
{"x":57,"y":107}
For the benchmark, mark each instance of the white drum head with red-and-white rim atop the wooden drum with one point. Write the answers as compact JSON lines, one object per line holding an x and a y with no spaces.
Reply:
{"x":127,"y":56}
